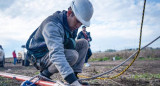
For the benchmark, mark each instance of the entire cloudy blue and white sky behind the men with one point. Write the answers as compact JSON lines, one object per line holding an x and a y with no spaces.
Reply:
{"x":114,"y":25}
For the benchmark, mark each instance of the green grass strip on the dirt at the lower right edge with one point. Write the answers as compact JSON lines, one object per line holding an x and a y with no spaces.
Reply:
{"x":146,"y":76}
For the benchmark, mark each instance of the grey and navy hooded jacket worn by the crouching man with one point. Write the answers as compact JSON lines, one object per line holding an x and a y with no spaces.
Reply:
{"x":50,"y":36}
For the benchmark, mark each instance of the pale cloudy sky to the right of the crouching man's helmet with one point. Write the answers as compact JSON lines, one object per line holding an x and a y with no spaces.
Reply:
{"x":121,"y":20}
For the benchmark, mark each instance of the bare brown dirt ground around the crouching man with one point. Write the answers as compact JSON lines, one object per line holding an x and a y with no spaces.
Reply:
{"x":126,"y":79}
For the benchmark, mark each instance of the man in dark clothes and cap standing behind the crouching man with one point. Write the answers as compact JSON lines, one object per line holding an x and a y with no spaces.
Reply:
{"x":86,"y":35}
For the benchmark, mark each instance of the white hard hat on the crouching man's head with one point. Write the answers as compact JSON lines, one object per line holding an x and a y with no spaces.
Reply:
{"x":83,"y":11}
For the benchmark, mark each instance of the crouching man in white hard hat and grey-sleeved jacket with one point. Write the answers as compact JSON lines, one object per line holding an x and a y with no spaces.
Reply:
{"x":52,"y":47}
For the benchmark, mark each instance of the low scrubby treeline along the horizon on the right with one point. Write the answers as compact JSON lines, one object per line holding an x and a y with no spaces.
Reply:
{"x":148,"y":52}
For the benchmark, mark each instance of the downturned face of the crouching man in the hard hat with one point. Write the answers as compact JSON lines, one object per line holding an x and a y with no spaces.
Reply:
{"x":73,"y":22}
